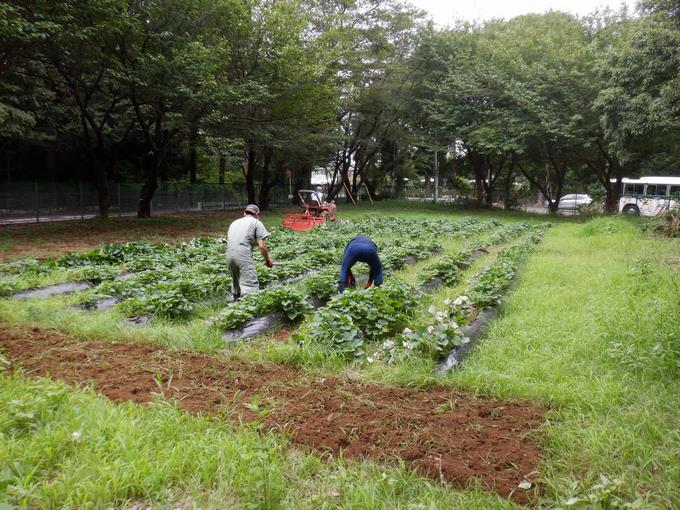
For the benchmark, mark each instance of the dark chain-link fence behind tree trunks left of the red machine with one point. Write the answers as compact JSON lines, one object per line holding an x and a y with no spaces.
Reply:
{"x":48,"y":201}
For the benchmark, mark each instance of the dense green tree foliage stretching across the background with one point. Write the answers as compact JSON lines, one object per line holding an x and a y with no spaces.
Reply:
{"x":259,"y":92}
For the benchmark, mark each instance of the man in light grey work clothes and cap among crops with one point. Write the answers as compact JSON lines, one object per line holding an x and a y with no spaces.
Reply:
{"x":242,"y":237}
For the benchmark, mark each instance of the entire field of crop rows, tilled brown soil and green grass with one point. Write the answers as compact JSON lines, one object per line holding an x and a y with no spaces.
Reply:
{"x":573,"y":396}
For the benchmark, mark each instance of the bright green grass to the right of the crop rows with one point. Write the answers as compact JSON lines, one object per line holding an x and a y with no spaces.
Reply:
{"x":593,"y":330}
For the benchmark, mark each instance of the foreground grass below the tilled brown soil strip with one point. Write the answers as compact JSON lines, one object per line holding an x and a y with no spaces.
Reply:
{"x":73,"y":449}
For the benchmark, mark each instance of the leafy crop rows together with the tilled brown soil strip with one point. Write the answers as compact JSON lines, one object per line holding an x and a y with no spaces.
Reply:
{"x":397,"y":324}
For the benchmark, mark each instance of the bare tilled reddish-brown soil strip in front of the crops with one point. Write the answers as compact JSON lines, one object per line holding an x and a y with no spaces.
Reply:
{"x":446,"y":435}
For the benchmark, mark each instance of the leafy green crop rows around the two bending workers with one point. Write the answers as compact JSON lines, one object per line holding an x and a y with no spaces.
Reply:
{"x":187,"y":285}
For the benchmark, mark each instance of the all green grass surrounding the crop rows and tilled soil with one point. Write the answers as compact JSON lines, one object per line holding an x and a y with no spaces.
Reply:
{"x":589,"y":331}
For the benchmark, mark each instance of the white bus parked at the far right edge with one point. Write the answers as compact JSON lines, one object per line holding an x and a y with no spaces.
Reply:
{"x":650,"y":196}
